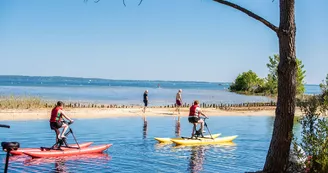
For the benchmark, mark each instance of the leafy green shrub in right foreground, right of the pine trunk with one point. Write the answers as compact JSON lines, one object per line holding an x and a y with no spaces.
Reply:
{"x":314,"y":131}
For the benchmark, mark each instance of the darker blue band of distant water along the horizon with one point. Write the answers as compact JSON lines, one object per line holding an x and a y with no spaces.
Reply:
{"x":59,"y":81}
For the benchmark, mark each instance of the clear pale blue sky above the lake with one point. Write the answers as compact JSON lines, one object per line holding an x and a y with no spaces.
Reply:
{"x":186,"y":40}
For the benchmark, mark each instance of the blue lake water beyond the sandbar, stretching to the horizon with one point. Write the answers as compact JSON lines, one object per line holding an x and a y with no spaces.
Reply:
{"x":125,"y":91}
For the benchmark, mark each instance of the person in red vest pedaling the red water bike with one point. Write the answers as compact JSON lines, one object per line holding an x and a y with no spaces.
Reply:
{"x":56,"y":120}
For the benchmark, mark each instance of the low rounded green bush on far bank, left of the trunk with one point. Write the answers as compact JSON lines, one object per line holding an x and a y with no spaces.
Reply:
{"x":247,"y":82}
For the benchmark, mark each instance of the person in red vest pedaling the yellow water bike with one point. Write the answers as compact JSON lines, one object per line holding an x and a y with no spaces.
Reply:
{"x":194,"y":117}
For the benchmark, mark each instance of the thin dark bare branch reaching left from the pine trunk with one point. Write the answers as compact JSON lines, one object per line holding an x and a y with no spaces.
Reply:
{"x":249,"y":13}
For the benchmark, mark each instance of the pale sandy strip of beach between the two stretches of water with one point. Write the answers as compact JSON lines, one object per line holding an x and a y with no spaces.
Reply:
{"x":95,"y":113}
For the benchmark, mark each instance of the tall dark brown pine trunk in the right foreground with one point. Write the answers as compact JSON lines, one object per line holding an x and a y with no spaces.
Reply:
{"x":278,"y":154}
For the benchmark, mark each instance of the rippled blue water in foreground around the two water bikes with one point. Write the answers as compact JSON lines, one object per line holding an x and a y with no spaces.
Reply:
{"x":135,"y":150}
